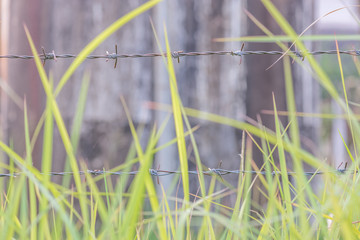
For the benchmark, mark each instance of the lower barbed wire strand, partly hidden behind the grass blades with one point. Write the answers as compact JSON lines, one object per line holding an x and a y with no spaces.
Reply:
{"x":161,"y":173}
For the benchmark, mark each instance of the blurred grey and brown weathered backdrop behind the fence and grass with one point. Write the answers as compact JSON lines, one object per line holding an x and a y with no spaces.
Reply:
{"x":216,"y":84}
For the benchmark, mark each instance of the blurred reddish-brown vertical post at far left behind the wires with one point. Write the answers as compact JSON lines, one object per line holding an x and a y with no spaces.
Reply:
{"x":22,"y":76}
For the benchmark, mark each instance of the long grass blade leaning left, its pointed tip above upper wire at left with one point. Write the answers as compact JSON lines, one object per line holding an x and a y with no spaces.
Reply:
{"x":63,"y":132}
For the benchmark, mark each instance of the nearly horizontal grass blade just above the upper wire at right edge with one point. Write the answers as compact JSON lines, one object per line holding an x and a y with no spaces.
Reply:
{"x":285,"y":38}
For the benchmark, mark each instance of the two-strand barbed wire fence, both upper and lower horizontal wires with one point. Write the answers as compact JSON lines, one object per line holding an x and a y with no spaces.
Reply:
{"x":177,"y":55}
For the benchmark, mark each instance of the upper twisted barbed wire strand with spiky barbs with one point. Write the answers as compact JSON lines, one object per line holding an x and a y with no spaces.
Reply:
{"x":178,"y":54}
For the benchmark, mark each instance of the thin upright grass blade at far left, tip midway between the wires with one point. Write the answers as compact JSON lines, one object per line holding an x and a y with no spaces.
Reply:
{"x":32,"y":198}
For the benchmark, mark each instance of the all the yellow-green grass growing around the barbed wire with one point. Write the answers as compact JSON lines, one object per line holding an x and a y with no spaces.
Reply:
{"x":34,"y":207}
